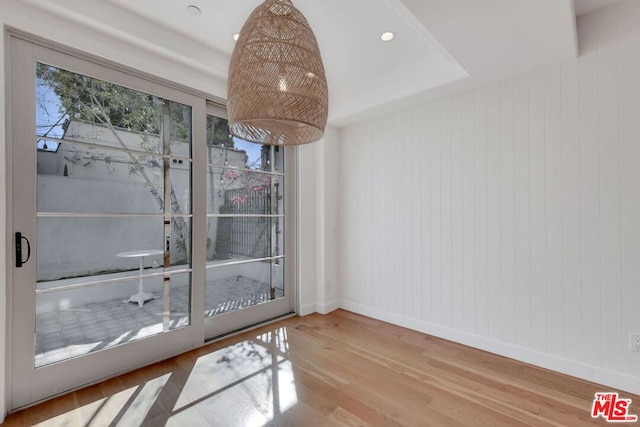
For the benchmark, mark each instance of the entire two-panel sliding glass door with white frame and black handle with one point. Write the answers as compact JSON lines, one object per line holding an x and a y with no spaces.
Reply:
{"x":140,"y":228}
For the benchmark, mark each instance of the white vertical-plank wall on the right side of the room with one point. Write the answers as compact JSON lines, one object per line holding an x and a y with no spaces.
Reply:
{"x":507,"y":217}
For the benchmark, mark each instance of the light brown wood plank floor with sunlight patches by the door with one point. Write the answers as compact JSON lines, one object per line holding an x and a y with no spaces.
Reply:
{"x":338,"y":369}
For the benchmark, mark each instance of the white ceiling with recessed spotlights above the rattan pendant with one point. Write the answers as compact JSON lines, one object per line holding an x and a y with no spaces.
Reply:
{"x":440,"y":46}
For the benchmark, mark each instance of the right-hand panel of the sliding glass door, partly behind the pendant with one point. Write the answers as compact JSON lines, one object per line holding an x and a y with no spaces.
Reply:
{"x":245,"y":250}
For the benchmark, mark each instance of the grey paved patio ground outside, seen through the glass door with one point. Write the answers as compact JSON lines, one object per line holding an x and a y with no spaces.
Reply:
{"x":82,"y":329}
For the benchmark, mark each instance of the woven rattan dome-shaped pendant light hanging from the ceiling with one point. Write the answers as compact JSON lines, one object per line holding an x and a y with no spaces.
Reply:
{"x":277,"y":88}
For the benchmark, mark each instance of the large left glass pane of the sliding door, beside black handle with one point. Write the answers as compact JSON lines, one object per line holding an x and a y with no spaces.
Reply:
{"x":113,"y":215}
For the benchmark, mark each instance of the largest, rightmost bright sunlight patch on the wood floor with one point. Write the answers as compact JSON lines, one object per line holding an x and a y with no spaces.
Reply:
{"x":250,"y":382}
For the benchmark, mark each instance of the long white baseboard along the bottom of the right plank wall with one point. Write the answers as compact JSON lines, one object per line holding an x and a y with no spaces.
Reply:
{"x":569,"y":367}
